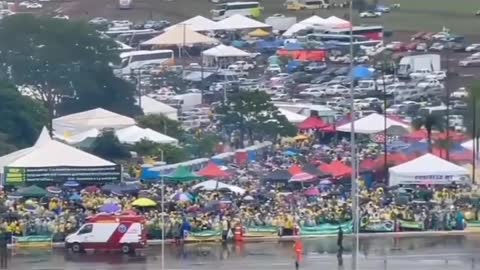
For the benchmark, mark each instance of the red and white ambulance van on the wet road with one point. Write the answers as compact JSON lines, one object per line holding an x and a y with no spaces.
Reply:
{"x":109,"y":232}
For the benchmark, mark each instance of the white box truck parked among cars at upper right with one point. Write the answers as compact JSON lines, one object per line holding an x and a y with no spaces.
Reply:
{"x":413,"y":63}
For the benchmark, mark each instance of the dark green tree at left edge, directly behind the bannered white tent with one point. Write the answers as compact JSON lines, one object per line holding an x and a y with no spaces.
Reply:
{"x":22,"y":117}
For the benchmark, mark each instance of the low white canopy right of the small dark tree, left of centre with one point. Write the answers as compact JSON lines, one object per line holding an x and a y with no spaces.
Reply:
{"x":134,"y":134}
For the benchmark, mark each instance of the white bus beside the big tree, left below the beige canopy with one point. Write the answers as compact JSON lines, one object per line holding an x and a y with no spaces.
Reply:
{"x":131,"y":61}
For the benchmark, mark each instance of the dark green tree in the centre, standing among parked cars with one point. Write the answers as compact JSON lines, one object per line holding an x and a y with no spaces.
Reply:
{"x":253,"y":114}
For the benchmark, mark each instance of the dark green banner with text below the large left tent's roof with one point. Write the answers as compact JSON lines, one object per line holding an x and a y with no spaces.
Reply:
{"x":26,"y":175}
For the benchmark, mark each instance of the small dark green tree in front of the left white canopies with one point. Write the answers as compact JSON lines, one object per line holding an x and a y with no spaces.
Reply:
{"x":109,"y":147}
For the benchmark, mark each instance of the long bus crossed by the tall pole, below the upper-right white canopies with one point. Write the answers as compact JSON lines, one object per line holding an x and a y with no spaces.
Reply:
{"x":338,"y":39}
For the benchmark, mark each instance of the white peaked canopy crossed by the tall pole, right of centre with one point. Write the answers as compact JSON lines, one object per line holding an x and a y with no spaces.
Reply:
{"x":370,"y":124}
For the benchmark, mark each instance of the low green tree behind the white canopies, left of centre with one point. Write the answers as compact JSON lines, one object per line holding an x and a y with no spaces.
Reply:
{"x":162,"y":124}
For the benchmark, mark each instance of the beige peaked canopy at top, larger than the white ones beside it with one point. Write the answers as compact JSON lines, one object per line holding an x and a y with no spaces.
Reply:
{"x":180,"y":35}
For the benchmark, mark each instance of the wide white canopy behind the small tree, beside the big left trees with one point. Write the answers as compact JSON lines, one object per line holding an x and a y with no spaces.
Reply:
{"x":98,"y":118}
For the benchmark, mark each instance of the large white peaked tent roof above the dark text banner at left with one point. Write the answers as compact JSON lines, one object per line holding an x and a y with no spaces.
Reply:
{"x":50,"y":153}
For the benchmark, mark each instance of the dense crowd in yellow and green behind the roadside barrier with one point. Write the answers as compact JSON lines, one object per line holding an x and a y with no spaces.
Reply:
{"x":264,"y":202}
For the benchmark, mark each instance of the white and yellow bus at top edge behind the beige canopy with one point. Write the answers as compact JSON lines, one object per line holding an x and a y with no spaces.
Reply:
{"x":225,"y":10}
